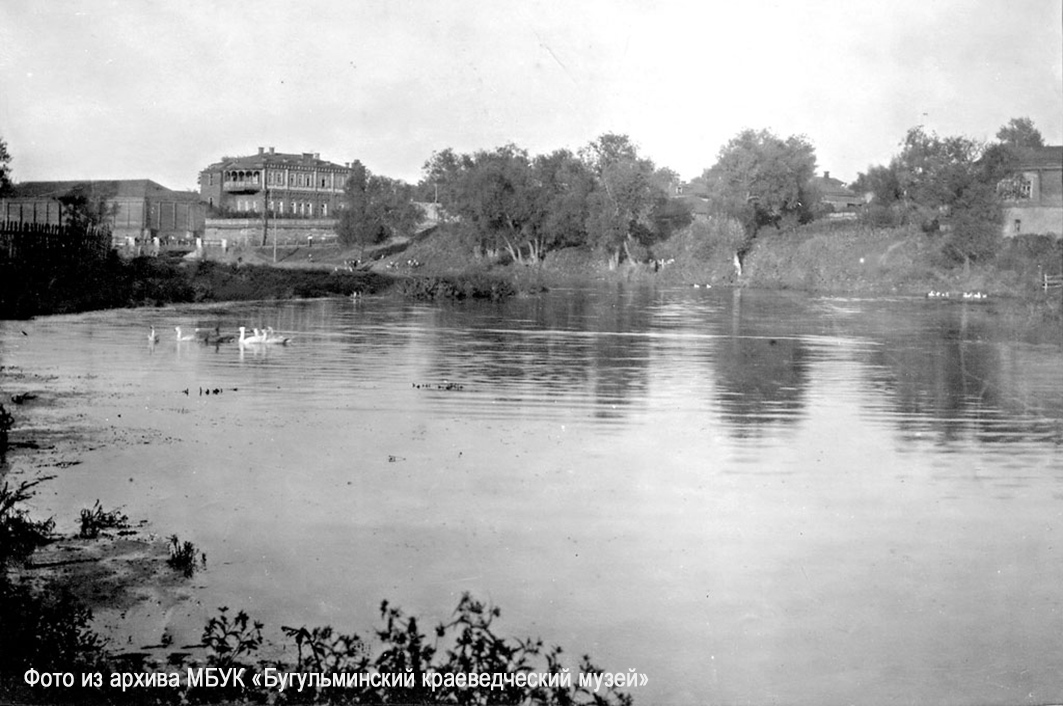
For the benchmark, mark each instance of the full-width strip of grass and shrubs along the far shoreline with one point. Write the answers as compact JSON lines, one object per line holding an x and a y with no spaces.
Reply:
{"x":824,"y":258}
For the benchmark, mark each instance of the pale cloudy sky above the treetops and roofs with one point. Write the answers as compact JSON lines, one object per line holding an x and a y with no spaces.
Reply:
{"x":161,"y":90}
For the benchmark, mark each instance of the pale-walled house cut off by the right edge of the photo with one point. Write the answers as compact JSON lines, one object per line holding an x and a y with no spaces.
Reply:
{"x":1035,"y":200}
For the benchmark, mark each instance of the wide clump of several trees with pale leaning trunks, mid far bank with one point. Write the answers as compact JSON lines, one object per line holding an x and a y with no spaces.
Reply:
{"x":606,"y":197}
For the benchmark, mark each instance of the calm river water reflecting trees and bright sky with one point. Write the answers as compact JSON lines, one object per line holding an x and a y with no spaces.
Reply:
{"x":749,"y":497}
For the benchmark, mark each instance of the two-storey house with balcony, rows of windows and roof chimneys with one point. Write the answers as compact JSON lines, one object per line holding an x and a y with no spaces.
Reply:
{"x":286,"y":186}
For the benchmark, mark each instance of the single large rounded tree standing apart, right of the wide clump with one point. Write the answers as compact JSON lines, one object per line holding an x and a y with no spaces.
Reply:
{"x":761,"y":179}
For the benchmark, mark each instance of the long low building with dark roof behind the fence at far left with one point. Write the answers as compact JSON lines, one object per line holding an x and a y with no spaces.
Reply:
{"x":138,"y":209}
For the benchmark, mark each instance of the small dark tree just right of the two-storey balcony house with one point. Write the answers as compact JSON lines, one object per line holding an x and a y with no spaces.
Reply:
{"x":376,"y":209}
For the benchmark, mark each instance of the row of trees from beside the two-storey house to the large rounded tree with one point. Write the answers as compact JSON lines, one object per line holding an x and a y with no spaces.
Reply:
{"x":606,"y":197}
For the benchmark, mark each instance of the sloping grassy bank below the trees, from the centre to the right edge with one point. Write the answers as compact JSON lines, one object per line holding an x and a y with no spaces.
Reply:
{"x":828,"y":257}
